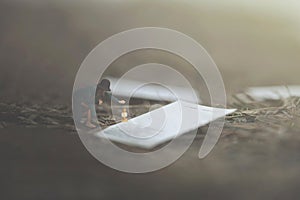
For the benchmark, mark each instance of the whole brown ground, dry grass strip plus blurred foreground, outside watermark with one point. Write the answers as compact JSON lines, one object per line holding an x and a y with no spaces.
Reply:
{"x":252,"y":160}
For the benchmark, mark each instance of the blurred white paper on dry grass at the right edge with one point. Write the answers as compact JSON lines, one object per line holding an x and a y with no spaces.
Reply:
{"x":273,"y":92}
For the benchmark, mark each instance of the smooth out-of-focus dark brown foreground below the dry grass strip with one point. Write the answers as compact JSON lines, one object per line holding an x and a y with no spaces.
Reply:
{"x":52,"y":164}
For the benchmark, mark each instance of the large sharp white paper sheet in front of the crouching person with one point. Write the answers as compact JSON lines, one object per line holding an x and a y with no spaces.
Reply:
{"x":163,"y":124}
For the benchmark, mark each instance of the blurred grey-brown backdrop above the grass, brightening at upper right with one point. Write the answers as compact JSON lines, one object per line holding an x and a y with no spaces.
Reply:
{"x":43,"y":42}
